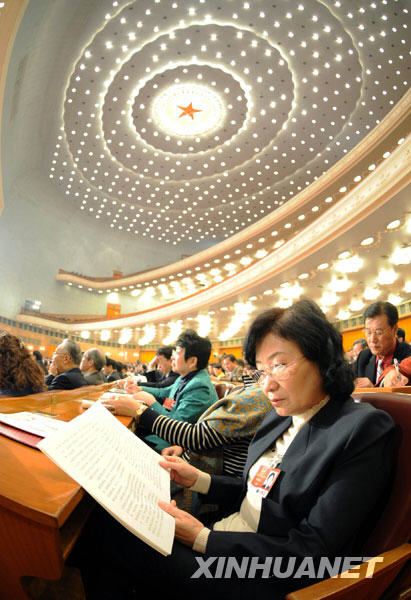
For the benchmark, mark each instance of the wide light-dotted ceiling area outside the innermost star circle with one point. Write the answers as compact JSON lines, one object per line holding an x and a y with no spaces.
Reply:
{"x":122,"y":179}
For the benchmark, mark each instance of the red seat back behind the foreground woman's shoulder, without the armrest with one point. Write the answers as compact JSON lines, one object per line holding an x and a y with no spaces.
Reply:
{"x":394,"y":525}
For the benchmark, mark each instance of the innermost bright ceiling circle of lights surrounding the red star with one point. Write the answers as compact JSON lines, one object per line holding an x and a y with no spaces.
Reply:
{"x":209,"y":128}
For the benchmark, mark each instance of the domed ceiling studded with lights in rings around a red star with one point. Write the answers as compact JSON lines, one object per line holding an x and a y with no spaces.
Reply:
{"x":192,"y":120}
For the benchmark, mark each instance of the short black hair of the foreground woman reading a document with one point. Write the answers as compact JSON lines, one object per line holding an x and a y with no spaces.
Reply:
{"x":305,"y":324}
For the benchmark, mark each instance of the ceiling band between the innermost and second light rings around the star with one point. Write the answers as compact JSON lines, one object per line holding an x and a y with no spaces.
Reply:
{"x":226,"y":77}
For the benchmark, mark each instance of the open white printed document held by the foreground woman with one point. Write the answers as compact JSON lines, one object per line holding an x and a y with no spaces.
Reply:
{"x":119,"y":470}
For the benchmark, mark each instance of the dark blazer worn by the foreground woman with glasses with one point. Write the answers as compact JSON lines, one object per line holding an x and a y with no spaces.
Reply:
{"x":333,"y":484}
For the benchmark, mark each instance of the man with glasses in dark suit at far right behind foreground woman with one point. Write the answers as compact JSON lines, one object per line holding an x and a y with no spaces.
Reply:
{"x":381,"y":325}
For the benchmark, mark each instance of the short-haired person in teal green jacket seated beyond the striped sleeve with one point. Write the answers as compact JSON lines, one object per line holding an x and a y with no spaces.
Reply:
{"x":186,"y":399}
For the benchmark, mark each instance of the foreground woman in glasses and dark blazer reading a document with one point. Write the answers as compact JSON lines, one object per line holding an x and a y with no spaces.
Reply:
{"x":315,"y":480}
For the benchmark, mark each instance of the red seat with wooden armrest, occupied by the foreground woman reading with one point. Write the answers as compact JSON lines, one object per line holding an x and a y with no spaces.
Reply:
{"x":392,"y":531}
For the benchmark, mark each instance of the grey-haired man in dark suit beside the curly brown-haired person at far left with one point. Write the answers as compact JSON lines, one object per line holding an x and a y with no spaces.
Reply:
{"x":64,"y":372}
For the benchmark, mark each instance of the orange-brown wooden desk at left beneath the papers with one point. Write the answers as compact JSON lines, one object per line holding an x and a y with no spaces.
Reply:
{"x":42,"y":510}
